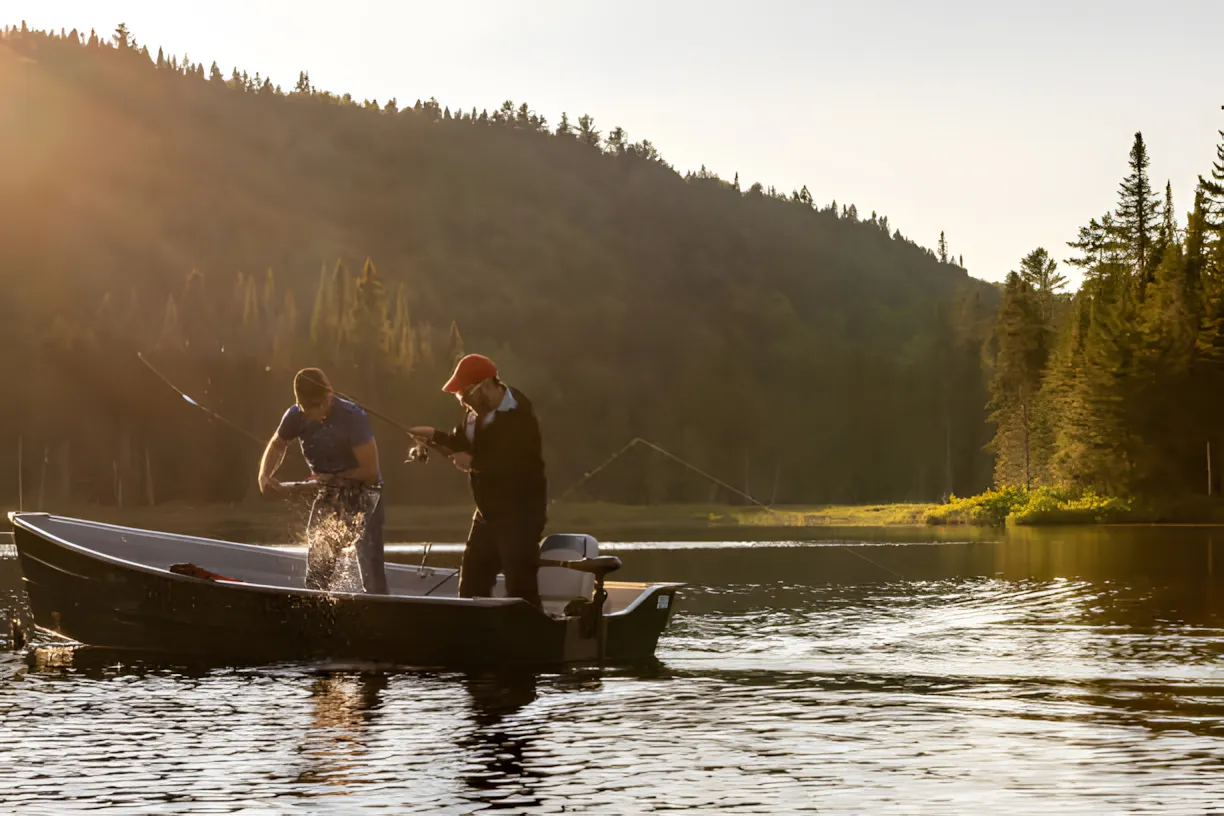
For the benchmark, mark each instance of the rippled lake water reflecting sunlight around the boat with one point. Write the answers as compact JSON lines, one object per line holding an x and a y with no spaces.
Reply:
{"x":1035,"y":672}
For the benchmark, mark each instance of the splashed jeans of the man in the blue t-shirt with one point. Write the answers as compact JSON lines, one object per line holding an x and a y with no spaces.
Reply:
{"x":341,"y":517}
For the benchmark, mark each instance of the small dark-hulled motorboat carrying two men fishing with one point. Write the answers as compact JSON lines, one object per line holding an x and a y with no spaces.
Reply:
{"x":143,"y":592}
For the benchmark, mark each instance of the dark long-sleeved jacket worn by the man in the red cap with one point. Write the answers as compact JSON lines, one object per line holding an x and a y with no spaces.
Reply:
{"x":507,"y":463}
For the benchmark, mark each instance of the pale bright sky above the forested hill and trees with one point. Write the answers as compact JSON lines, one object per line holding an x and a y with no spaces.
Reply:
{"x":1006,"y":125}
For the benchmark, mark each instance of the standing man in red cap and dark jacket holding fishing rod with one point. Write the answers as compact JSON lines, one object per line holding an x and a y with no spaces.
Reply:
{"x":499,"y":447}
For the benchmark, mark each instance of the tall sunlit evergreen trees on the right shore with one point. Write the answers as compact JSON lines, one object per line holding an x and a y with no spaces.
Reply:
{"x":1118,"y":387}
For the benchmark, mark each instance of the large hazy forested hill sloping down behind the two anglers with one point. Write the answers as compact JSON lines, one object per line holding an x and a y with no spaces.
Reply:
{"x":236,"y":232}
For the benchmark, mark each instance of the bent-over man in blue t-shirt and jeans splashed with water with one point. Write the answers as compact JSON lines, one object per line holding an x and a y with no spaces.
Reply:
{"x":341,"y":451}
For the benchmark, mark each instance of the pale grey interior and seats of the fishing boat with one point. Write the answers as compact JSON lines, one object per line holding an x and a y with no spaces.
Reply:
{"x":281,"y":567}
